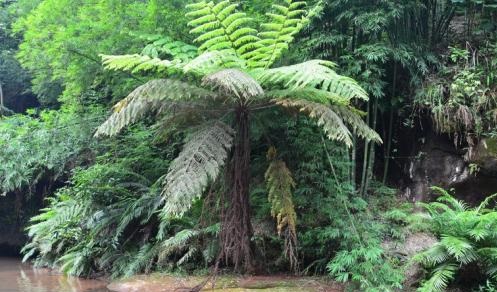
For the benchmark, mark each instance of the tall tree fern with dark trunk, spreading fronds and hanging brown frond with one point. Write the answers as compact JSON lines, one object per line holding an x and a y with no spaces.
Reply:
{"x":216,"y":93}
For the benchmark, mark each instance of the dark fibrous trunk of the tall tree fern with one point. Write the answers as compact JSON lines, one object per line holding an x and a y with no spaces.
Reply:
{"x":236,"y":229}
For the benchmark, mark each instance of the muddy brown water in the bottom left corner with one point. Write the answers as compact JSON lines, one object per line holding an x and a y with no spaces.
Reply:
{"x":17,"y":277}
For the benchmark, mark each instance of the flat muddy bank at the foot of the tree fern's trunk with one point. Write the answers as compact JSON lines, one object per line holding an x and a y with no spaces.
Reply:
{"x":162,"y":282}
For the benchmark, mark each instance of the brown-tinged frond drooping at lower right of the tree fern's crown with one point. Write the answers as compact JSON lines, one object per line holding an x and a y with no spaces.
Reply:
{"x":328,"y":119}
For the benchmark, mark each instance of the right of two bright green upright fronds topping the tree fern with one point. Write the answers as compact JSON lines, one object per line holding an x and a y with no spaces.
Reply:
{"x":285,"y":21}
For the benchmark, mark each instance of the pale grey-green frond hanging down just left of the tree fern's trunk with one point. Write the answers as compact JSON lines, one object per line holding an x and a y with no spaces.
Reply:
{"x":198,"y":164}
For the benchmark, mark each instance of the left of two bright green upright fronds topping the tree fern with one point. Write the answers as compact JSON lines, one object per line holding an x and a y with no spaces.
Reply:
{"x":221,"y":27}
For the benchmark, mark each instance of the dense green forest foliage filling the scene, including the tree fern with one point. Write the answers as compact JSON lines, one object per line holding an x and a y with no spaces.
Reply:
{"x":262,"y":130}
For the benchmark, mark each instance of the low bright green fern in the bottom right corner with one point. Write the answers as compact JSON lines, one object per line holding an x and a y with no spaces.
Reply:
{"x":468,"y":237}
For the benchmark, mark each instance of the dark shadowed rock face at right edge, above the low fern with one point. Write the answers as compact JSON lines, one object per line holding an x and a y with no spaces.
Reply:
{"x":437,"y":162}
